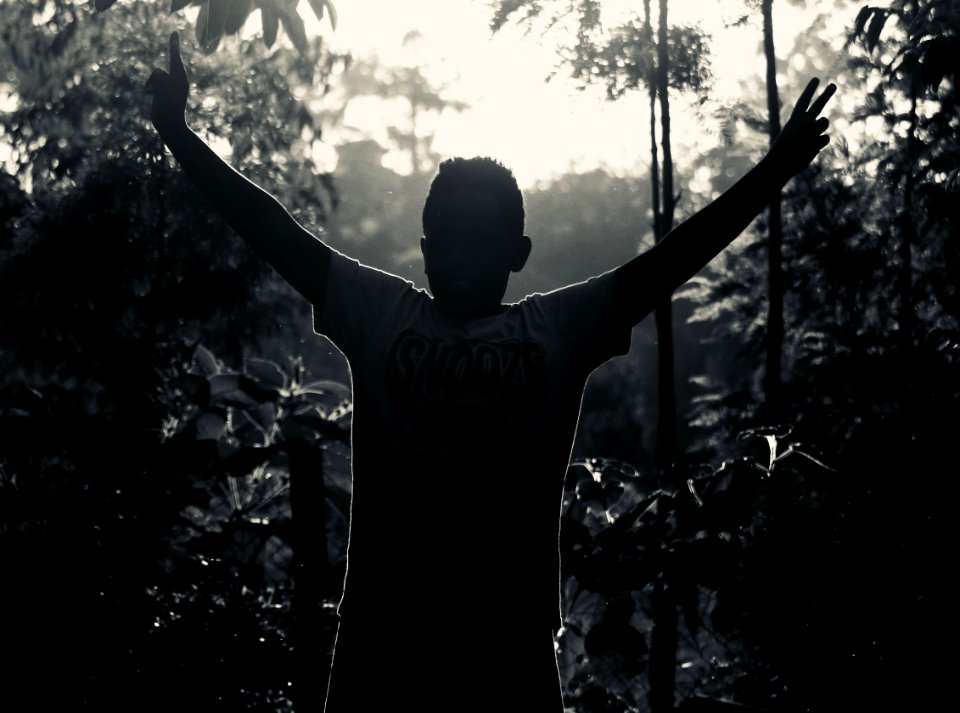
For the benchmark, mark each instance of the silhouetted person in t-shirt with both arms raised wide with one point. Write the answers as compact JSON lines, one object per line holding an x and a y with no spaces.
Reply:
{"x":465,"y":410}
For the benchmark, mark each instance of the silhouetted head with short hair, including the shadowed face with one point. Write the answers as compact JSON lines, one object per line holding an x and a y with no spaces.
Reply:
{"x":472,"y":235}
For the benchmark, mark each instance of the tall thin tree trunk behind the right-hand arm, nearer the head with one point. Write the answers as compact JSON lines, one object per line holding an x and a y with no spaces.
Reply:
{"x":667,"y":419}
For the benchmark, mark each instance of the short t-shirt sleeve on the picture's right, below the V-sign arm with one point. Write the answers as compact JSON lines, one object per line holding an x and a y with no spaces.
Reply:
{"x":585,"y":316}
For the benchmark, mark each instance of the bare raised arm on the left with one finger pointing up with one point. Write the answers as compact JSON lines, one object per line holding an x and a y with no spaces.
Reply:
{"x":255,"y":215}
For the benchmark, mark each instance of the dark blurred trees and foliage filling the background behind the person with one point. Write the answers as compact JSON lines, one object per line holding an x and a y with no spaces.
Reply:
{"x":165,"y":411}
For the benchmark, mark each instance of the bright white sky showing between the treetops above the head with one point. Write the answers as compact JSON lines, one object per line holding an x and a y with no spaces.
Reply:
{"x":542,"y":129}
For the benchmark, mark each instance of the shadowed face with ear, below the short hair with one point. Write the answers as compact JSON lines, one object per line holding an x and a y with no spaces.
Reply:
{"x":469,"y":255}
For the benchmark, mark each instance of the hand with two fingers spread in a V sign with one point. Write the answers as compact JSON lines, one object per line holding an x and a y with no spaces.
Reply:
{"x":803,"y":135}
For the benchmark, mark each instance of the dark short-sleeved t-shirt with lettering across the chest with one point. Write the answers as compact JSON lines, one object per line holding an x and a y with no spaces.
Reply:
{"x":462,"y":432}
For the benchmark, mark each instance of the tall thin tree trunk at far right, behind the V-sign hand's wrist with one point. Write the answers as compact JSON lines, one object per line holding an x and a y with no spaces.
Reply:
{"x":772,"y":377}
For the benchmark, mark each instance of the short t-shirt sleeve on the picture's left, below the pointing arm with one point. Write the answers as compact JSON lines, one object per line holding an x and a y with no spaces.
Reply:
{"x":357,"y":301}
